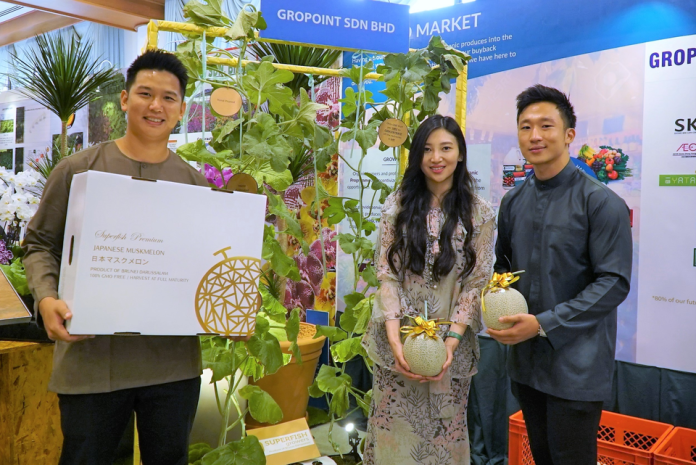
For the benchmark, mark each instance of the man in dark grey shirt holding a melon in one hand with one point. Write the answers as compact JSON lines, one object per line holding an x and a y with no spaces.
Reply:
{"x":572,"y":236}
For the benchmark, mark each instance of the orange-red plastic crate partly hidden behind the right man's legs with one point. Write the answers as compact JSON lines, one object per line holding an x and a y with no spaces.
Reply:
{"x":622,"y":440}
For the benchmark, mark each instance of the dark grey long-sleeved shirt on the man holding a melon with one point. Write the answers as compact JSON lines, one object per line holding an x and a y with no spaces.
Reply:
{"x":572,"y":236}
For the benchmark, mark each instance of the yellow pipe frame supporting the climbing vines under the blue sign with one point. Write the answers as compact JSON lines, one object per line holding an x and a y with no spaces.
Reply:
{"x":154,"y":27}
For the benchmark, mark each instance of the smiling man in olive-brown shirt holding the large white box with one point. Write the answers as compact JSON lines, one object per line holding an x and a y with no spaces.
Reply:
{"x":101,"y":380}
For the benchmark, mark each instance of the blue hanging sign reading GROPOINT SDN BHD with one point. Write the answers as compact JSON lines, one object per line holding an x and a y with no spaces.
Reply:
{"x":345,"y":24}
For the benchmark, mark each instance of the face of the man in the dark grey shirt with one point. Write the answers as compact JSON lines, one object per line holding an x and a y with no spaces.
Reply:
{"x":542,"y":135}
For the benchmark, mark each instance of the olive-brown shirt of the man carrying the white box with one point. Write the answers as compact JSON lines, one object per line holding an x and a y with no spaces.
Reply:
{"x":105,"y":363}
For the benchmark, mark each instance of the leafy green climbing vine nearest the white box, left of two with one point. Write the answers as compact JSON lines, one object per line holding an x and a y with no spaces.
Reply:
{"x":261,"y":140}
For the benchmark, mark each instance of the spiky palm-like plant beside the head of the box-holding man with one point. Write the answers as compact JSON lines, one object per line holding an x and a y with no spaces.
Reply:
{"x":59,"y":74}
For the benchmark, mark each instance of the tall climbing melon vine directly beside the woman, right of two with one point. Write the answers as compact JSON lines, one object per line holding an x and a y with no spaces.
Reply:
{"x":413,"y":84}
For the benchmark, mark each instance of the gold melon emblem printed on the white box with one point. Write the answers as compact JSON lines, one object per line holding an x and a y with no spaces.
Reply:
{"x":227,"y":298}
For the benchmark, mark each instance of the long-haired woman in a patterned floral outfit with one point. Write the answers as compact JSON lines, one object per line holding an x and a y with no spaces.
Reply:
{"x":435,"y":246}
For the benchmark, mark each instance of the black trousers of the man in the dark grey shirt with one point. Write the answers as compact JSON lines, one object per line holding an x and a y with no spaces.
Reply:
{"x":561,"y":431}
